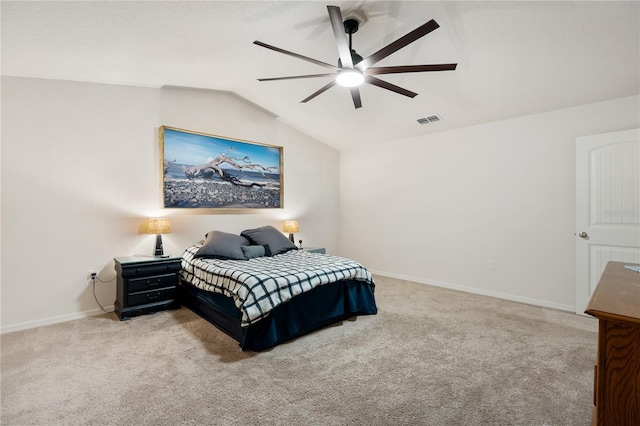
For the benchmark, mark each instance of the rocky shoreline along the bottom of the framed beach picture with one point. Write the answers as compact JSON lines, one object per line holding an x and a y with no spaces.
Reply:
{"x":206,"y":193}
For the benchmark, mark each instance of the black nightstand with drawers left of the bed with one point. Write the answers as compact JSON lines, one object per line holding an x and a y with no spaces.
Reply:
{"x":146,"y":285}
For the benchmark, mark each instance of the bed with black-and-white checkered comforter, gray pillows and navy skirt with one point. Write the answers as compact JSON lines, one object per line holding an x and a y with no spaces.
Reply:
{"x":258,"y":288}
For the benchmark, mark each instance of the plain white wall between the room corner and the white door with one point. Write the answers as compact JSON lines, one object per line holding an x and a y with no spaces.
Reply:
{"x":436,"y":209}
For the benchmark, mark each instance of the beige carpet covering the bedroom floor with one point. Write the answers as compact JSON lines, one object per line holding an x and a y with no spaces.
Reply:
{"x":430,"y":357}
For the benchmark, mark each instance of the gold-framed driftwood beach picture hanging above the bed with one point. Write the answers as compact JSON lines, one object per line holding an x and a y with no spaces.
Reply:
{"x":201,"y":171}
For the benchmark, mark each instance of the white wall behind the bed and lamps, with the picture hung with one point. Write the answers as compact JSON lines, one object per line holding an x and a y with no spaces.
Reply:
{"x":80,"y":174}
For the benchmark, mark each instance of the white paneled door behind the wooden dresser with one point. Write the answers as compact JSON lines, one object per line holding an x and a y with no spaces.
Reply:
{"x":607,"y":206}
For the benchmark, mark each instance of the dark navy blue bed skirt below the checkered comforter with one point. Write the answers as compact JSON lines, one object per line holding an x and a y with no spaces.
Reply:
{"x":322,"y":306}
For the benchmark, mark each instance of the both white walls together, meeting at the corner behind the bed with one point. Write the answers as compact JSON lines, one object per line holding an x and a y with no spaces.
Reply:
{"x":80,"y":174}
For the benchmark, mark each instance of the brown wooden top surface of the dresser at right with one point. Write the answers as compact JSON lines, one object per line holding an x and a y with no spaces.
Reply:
{"x":617,"y":296}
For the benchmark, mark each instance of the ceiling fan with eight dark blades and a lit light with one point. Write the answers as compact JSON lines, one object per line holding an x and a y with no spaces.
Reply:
{"x":352,"y":69}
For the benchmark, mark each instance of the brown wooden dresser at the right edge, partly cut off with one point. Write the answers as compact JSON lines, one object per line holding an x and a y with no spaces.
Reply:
{"x":616,"y":303}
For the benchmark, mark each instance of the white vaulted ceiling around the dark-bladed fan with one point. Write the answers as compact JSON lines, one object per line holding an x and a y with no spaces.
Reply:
{"x":514,"y":58}
